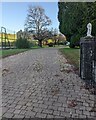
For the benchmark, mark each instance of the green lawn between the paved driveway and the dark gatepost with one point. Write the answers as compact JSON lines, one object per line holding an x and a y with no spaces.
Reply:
{"x":72,"y":55}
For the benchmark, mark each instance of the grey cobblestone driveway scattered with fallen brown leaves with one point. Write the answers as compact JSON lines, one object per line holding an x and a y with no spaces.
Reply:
{"x":41,"y":84}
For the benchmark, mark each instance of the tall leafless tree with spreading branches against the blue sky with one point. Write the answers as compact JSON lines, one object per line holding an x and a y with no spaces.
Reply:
{"x":37,"y":22}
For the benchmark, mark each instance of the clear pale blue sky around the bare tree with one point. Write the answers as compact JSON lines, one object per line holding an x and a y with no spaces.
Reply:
{"x":14,"y":14}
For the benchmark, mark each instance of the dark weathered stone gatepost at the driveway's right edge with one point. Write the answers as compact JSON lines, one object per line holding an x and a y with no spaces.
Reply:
{"x":88,"y":58}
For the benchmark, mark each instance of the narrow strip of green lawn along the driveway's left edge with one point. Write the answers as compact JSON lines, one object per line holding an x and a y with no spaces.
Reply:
{"x":6,"y":53}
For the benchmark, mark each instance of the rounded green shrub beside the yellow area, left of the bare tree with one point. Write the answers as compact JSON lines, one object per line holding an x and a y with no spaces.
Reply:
{"x":22,"y":43}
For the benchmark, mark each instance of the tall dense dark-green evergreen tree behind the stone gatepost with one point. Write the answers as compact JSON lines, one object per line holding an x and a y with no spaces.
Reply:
{"x":74,"y":17}
